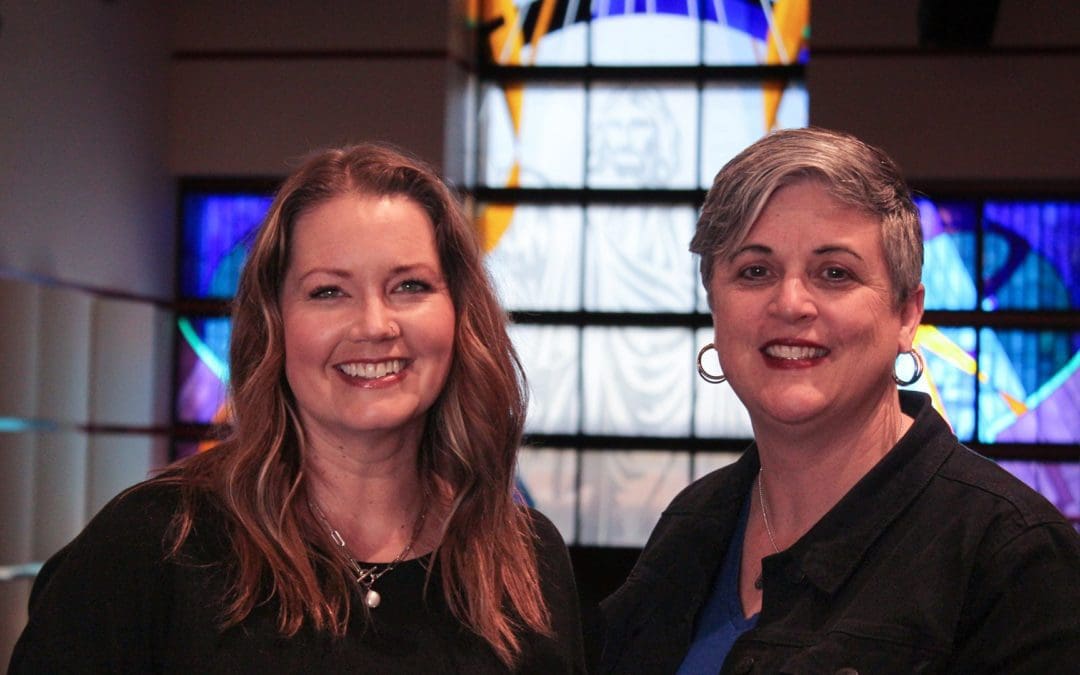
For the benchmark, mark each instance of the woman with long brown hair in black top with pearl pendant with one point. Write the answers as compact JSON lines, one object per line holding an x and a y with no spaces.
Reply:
{"x":360,"y":516}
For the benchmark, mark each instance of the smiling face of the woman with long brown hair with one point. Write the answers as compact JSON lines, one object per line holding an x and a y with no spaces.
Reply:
{"x":369,"y":319}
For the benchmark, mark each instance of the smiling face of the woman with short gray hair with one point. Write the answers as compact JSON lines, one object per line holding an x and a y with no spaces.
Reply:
{"x":806,"y":323}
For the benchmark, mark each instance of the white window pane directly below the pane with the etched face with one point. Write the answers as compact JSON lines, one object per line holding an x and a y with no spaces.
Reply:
{"x":637,"y":260}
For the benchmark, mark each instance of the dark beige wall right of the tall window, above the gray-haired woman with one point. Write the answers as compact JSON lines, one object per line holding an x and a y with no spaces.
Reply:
{"x":1005,"y":118}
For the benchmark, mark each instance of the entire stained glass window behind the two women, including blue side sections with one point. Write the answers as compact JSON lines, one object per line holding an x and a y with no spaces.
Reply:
{"x":592,"y":159}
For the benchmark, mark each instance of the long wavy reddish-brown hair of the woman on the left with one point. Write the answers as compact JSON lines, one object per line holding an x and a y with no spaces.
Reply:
{"x":468,"y":452}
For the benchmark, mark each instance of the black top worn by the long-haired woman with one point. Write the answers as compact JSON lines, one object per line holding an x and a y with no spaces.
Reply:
{"x":111,"y":602}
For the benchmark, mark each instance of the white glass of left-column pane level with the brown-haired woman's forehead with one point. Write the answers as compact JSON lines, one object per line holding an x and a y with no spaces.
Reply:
{"x":536,"y":264}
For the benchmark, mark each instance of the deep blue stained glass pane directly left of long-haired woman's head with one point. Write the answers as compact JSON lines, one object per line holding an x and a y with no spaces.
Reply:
{"x":217,"y":231}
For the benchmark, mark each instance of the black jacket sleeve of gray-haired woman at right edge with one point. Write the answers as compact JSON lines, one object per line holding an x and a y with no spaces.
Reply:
{"x":1022,"y":613}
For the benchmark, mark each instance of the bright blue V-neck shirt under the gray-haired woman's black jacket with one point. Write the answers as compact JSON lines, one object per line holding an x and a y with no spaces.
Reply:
{"x":722,"y":620}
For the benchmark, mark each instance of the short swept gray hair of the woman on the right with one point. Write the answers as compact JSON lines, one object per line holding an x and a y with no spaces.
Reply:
{"x":855,"y":173}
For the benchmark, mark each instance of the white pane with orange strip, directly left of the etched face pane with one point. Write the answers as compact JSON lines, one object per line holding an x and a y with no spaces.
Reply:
{"x":533,"y":141}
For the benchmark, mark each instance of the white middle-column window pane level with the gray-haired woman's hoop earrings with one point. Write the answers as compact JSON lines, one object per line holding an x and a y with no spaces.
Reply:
{"x":638,"y":382}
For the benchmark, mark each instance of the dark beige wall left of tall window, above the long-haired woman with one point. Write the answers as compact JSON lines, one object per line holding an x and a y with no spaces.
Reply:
{"x":256,"y":87}
